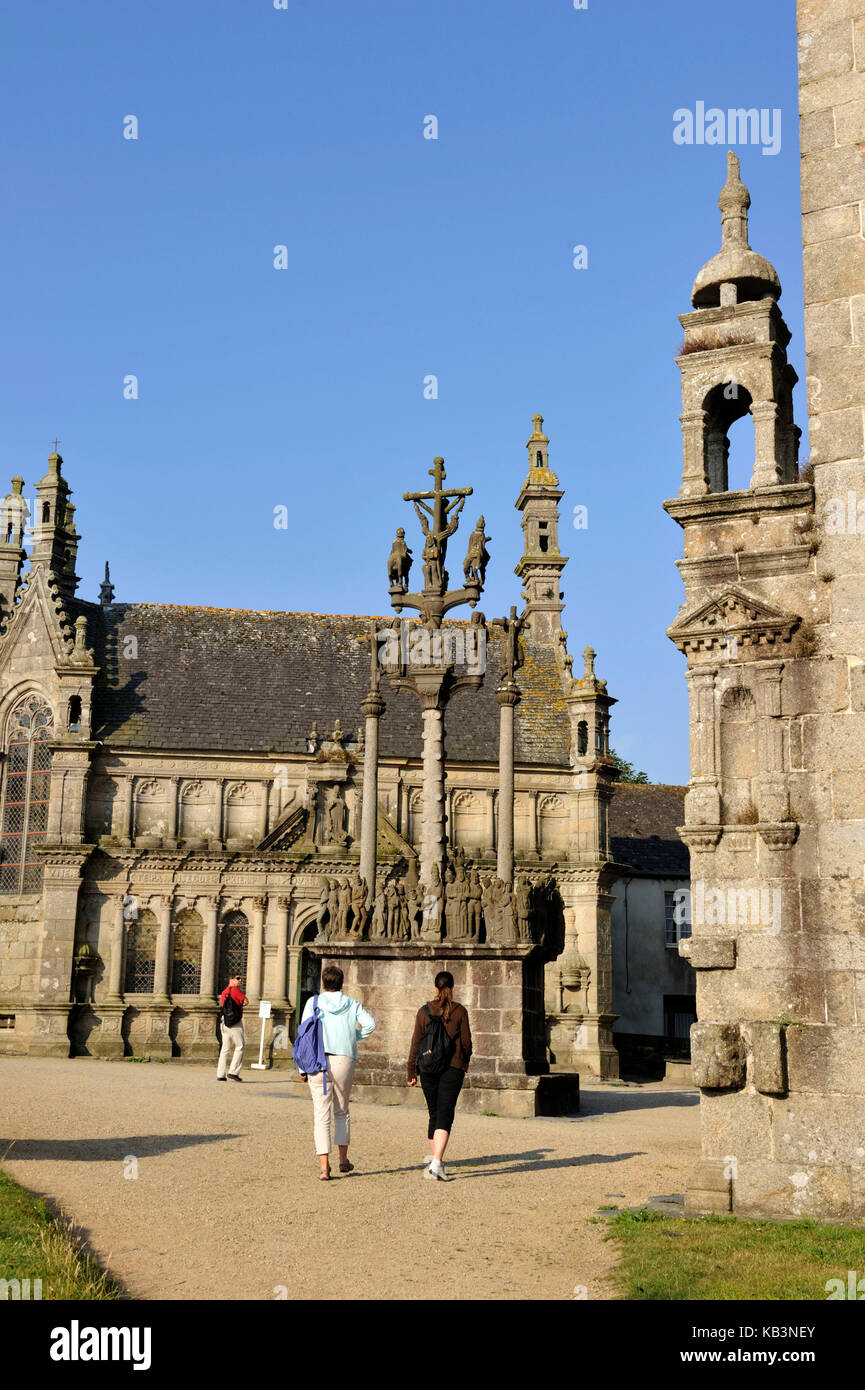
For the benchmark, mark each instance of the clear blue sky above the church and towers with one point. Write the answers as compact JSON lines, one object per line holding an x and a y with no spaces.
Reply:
{"x":408,"y":258}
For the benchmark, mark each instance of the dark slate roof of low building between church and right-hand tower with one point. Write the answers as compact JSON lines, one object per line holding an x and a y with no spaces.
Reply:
{"x":643,"y":822}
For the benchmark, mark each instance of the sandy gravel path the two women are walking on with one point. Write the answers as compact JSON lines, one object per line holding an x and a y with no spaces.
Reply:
{"x":227,"y":1182}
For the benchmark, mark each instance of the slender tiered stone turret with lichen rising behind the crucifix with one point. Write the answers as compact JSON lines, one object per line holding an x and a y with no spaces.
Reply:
{"x":540,"y":568}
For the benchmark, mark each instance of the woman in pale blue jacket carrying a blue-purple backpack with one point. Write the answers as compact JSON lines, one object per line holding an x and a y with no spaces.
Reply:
{"x":344,"y":1022}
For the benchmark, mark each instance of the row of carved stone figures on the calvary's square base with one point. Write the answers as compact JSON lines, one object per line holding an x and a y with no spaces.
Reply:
{"x":475,"y":908}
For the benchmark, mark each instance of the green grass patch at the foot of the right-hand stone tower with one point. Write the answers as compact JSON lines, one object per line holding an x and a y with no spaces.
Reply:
{"x":722,"y":1259}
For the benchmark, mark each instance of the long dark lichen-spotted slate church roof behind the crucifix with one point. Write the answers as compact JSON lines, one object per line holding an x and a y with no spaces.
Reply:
{"x":236,"y":680}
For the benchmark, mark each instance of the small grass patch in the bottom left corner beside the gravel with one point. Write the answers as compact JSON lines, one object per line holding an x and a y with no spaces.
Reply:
{"x":34,"y":1245}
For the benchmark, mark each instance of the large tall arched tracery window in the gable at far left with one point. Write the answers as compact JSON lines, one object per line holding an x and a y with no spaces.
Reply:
{"x":26,"y":796}
